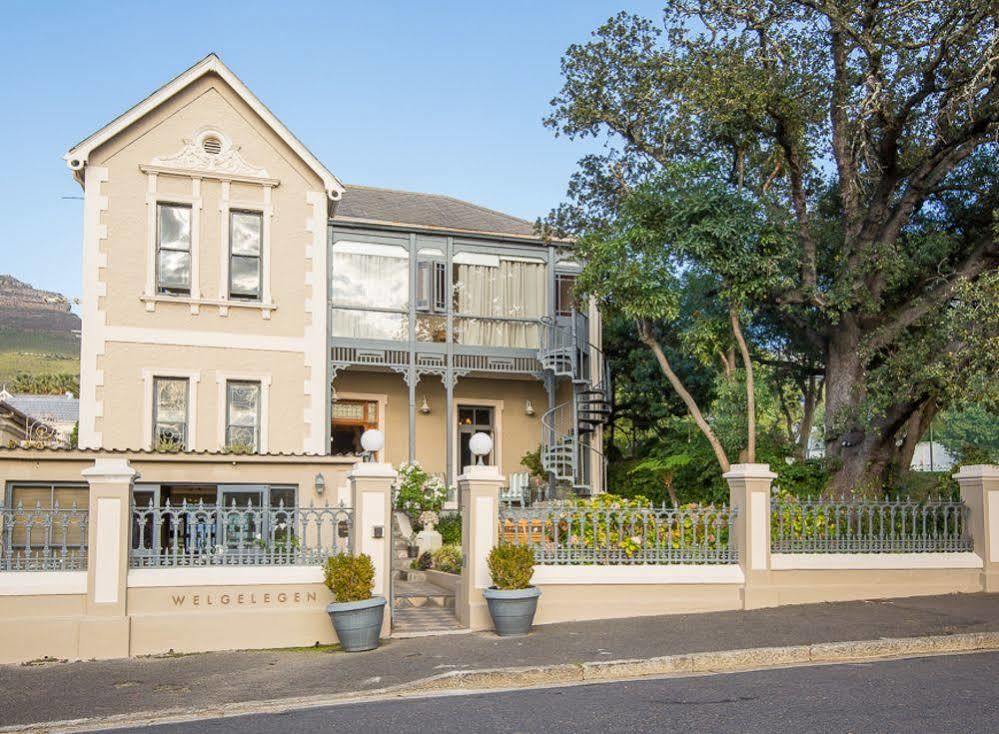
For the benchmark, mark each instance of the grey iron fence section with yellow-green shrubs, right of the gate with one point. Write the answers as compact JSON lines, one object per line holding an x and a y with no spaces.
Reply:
{"x":574,"y":533}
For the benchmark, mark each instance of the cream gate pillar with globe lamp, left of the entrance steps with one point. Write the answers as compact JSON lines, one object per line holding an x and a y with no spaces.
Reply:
{"x":371,"y":494}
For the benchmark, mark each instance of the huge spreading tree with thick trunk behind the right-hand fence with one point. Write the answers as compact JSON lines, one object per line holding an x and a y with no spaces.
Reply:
{"x":869,"y":130}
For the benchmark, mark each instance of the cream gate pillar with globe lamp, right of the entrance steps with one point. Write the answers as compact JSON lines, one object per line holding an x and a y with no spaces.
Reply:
{"x":479,"y":487}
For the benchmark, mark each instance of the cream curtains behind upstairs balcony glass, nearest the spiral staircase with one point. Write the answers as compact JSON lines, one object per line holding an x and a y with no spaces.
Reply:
{"x":515,"y":288}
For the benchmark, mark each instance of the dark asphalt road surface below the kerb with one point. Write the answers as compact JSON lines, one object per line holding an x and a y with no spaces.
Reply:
{"x":937,"y":694}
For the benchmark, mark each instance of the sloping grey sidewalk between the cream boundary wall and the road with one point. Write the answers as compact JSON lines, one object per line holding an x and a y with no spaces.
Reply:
{"x":62,"y":691}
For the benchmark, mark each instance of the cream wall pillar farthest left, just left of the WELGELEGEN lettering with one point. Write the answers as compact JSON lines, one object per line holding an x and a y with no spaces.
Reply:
{"x":104,"y":633}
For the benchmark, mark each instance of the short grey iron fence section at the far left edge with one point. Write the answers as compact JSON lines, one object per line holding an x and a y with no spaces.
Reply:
{"x":43,"y":538}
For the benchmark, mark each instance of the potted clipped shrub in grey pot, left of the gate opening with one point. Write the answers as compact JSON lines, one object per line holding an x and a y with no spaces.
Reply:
{"x":356,"y":614}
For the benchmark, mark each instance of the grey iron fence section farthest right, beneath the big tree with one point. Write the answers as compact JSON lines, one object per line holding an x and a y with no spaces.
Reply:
{"x":847,"y":525}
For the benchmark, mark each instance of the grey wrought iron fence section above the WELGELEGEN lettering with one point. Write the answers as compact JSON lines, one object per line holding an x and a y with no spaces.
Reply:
{"x":208,"y":535}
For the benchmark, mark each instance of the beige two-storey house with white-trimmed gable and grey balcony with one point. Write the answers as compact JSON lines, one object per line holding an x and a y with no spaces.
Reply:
{"x":241,"y":302}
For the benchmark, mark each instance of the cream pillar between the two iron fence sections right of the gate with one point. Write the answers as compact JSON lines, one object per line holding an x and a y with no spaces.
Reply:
{"x":749,"y":496}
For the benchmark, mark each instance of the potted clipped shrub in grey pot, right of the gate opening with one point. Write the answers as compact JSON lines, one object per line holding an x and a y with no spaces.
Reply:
{"x":512,"y":600}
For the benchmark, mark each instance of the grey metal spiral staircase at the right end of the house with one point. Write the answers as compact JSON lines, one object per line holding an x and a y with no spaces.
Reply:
{"x":568,"y":429}
